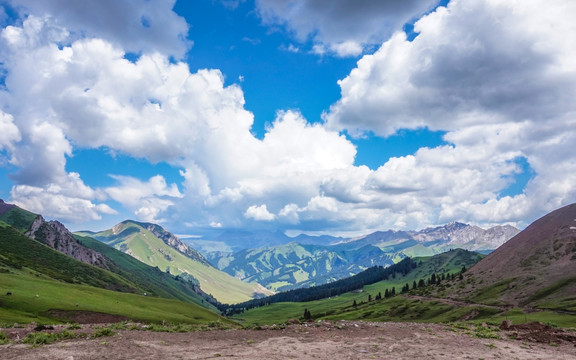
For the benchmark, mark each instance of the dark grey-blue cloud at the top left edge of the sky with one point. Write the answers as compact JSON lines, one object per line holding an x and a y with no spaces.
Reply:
{"x":135,"y":25}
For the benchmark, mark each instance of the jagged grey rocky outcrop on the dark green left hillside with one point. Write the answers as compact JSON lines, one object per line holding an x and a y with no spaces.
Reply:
{"x":55,"y":235}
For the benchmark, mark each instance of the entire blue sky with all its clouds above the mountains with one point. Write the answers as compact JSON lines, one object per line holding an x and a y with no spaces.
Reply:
{"x":321,"y":117}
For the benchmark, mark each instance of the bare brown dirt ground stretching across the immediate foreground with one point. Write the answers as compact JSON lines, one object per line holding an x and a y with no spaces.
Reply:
{"x":340,"y":340}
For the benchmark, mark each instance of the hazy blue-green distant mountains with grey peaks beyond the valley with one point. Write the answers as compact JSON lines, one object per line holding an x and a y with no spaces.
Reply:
{"x":296,"y":265}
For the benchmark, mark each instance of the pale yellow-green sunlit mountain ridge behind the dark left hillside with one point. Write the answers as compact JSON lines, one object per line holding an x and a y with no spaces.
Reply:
{"x":155,"y":246}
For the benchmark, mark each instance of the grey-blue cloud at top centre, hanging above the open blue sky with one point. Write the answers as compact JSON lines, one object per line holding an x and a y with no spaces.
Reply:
{"x":345,"y":27}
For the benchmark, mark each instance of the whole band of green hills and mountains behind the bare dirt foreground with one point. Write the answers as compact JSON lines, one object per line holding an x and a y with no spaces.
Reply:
{"x":50,"y":274}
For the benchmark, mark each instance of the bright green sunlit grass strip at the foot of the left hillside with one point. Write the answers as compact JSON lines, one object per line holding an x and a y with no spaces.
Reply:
{"x":23,"y":306}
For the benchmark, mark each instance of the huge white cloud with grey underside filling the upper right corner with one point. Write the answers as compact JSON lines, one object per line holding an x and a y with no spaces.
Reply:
{"x":475,"y":62}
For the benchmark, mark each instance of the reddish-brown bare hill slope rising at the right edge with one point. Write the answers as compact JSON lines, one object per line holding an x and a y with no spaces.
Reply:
{"x":537,"y":267}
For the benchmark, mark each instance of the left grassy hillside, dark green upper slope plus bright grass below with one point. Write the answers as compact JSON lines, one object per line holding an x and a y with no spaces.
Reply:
{"x":36,"y":281}
